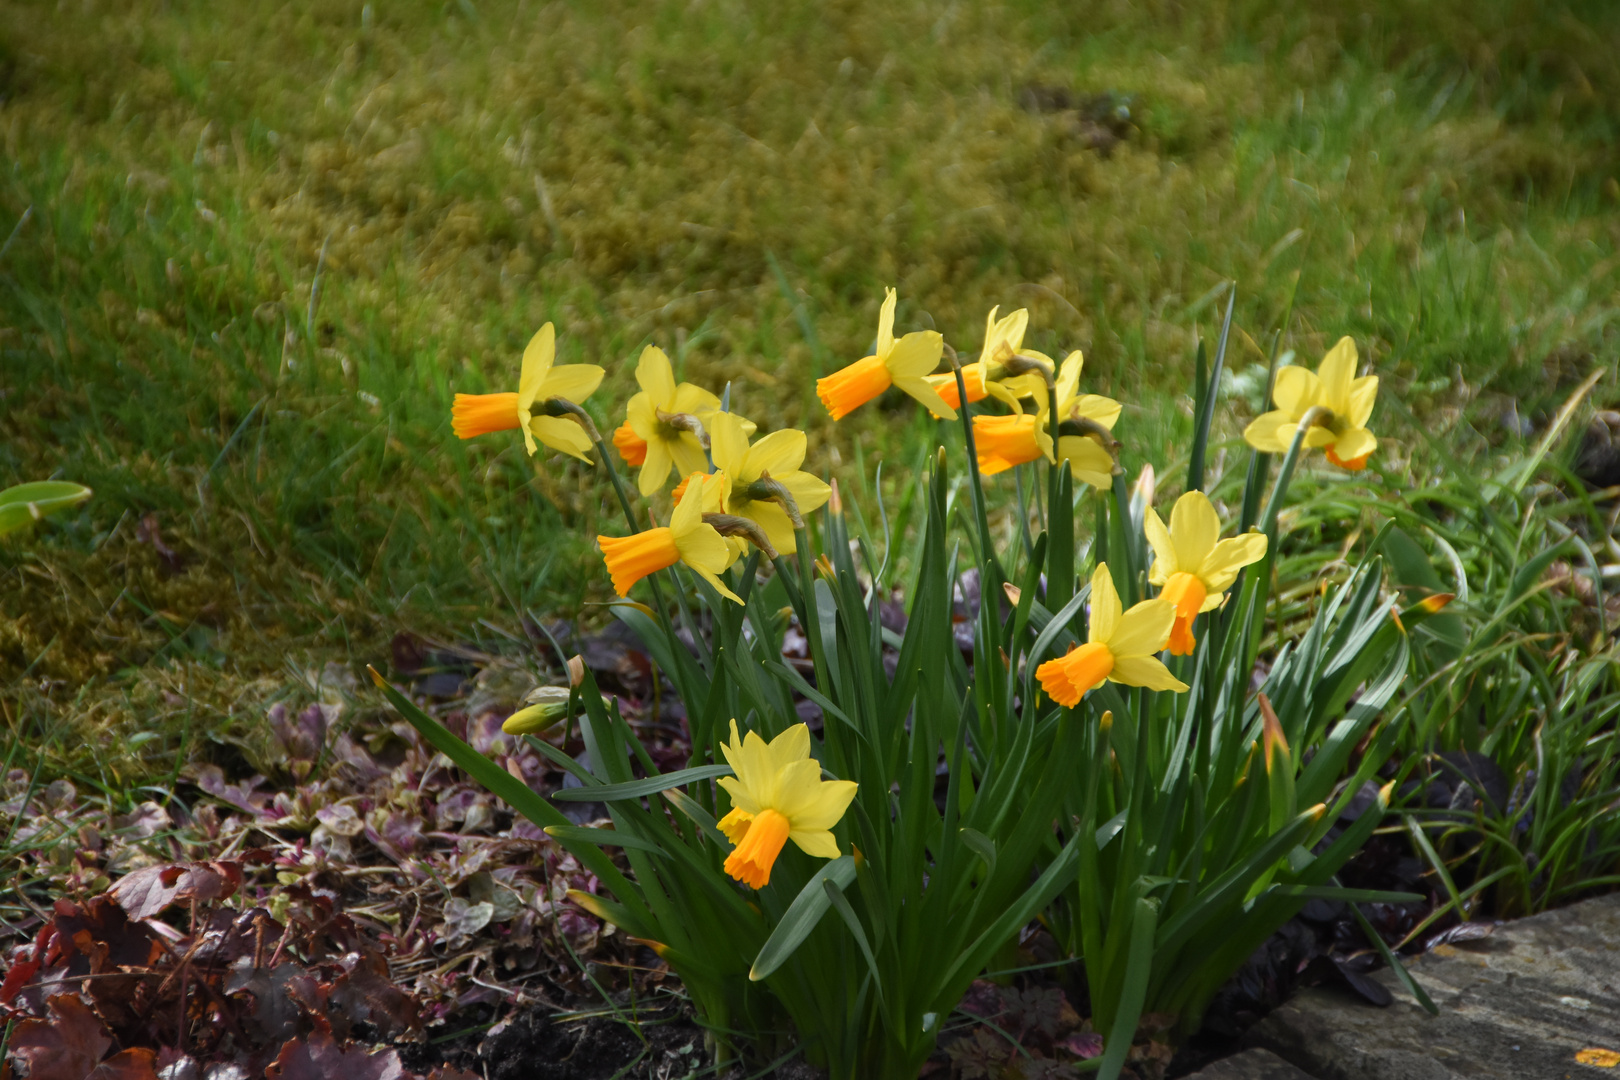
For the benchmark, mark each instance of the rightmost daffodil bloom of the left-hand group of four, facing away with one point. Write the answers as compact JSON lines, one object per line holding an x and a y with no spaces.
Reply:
{"x":762,"y":475}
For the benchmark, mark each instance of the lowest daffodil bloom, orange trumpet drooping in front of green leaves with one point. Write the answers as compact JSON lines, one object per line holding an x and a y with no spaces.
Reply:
{"x":778,"y":796}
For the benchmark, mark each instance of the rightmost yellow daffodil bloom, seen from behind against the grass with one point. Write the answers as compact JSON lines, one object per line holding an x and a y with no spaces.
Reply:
{"x":1331,"y":402}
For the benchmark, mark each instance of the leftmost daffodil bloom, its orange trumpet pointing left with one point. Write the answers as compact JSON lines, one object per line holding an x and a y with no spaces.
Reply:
{"x":552,"y":391}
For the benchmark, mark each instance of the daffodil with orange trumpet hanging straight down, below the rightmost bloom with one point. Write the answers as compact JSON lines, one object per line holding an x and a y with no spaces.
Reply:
{"x":1193,"y":566}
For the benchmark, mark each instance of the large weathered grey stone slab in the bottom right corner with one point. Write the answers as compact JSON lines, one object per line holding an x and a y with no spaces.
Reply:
{"x":1516,"y":1006}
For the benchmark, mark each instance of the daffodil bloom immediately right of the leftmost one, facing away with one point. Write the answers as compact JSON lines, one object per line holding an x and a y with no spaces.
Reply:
{"x":665,"y":420}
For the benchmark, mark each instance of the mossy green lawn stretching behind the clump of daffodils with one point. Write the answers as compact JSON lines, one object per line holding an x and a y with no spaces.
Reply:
{"x":254,"y":250}
